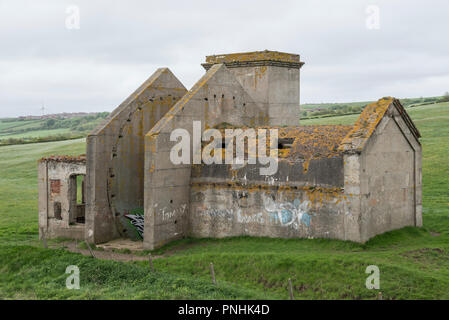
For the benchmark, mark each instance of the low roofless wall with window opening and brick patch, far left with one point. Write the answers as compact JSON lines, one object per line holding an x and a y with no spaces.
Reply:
{"x":56,"y":187}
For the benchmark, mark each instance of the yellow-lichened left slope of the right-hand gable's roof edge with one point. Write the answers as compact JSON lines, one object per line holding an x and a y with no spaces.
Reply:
{"x":365,"y":125}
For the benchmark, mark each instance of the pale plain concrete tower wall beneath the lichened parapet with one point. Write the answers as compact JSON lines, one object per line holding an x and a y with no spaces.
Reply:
{"x":275,"y":89}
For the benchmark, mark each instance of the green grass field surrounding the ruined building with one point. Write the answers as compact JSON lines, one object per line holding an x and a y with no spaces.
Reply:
{"x":414,"y":262}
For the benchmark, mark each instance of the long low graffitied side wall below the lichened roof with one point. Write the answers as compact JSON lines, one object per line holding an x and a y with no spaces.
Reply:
{"x":292,"y":203}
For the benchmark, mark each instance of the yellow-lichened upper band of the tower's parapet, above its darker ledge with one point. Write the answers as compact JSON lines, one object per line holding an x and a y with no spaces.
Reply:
{"x":253,"y":56}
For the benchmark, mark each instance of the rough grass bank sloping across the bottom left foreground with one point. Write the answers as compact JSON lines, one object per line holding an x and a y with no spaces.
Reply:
{"x":35,"y":273}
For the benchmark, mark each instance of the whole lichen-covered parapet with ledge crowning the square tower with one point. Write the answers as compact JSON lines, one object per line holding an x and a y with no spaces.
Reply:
{"x":255,"y":59}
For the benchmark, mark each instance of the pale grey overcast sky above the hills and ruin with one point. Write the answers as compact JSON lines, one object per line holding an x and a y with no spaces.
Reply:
{"x":349,"y":54}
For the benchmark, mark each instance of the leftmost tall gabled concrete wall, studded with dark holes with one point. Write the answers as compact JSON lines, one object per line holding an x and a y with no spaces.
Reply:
{"x":115,"y":152}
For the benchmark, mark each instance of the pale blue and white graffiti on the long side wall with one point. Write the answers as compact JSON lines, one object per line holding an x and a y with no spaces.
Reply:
{"x":289,"y":213}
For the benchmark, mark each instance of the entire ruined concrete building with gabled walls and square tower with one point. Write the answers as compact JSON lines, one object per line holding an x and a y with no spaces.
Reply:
{"x":340,"y":182}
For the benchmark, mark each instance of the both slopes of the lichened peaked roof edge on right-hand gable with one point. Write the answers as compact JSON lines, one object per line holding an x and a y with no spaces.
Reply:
{"x":368,"y":121}
